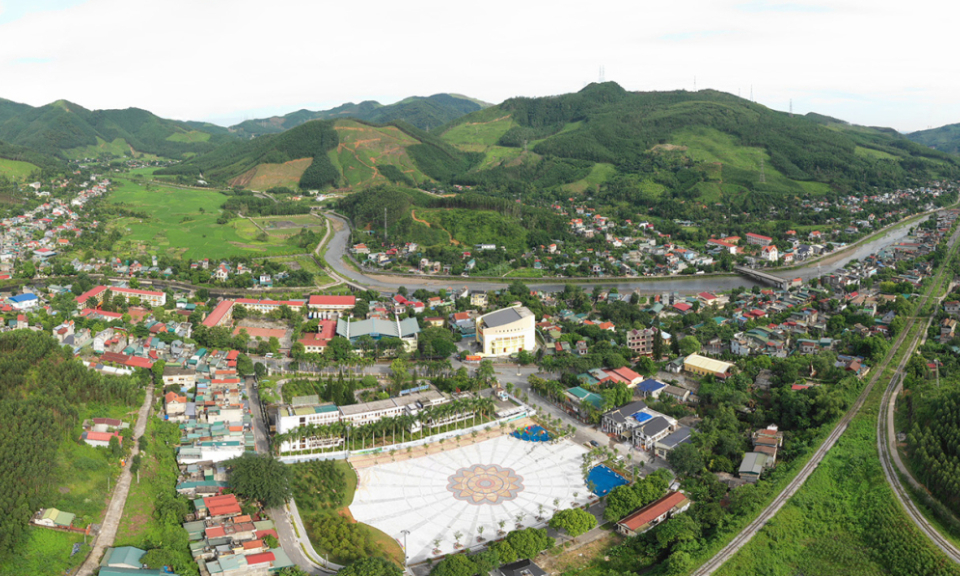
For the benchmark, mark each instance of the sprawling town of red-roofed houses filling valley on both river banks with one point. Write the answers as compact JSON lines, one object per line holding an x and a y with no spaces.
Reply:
{"x":631,"y":365}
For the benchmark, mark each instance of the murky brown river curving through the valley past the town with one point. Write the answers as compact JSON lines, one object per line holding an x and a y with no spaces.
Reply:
{"x":683,"y":284}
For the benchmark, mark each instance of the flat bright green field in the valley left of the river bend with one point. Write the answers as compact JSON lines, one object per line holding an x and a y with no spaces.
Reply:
{"x":183,"y":223}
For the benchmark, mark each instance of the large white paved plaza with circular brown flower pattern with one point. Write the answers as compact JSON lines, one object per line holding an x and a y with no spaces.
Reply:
{"x":461,"y":489}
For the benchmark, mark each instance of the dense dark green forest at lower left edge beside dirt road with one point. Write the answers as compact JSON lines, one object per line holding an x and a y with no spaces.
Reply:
{"x":41,"y":391}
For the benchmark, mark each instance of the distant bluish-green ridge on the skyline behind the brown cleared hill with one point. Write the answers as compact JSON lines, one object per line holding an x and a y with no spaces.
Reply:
{"x":424,"y":113}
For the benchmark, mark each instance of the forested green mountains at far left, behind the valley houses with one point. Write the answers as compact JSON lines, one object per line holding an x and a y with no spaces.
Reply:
{"x":67,"y":130}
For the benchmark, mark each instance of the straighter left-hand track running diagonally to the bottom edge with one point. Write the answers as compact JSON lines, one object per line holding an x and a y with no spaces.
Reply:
{"x":748,"y":533}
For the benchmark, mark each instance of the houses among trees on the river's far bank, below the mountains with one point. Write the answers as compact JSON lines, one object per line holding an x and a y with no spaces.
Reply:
{"x":638,"y":249}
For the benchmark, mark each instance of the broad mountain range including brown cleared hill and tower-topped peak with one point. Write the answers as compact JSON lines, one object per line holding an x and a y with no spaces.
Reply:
{"x":634,"y":148}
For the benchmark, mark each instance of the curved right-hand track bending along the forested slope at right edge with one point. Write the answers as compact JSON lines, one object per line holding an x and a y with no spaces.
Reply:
{"x":890,"y":456}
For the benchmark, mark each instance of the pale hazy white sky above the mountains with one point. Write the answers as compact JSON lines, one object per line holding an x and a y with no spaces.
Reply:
{"x":874,"y":62}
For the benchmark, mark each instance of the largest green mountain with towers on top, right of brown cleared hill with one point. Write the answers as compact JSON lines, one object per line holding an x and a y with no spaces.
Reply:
{"x":706,"y":145}
